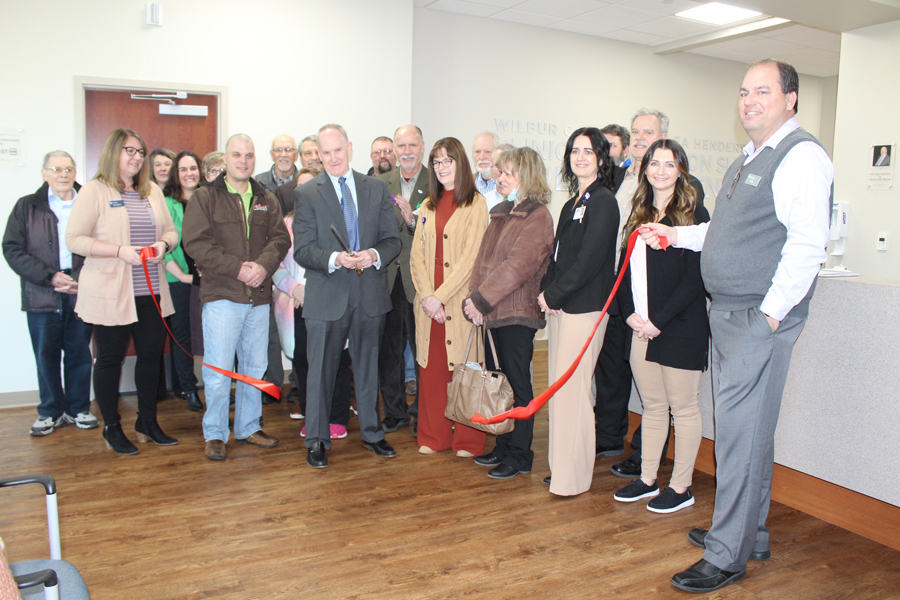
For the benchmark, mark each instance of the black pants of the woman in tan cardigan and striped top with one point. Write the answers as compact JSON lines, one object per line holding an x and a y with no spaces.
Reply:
{"x":149,"y":335}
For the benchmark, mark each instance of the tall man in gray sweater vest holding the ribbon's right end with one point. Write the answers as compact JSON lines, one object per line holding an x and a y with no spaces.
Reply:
{"x":761,"y":254}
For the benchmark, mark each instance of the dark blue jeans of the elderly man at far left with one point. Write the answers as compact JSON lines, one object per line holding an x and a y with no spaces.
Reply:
{"x":55,"y":336}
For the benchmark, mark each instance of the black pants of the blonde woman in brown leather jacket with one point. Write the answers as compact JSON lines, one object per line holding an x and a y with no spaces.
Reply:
{"x":515,"y":351}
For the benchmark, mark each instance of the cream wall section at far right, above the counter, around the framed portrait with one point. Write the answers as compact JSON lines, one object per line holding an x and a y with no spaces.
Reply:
{"x":868,"y":87}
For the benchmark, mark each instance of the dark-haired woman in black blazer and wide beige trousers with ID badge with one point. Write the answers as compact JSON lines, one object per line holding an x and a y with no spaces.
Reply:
{"x":577,"y":284}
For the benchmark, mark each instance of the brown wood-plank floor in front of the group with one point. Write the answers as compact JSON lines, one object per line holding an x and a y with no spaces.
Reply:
{"x":169,"y":524}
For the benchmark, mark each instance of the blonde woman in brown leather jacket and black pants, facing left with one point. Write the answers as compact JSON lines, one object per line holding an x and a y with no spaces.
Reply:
{"x":503,"y":291}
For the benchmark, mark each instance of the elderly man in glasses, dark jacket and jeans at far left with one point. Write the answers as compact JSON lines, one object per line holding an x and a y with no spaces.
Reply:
{"x":49,"y":274}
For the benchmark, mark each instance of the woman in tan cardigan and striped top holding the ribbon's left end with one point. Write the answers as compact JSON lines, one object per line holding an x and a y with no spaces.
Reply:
{"x":119,"y":212}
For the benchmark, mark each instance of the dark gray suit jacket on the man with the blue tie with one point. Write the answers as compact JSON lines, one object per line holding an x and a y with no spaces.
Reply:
{"x":318,"y":207}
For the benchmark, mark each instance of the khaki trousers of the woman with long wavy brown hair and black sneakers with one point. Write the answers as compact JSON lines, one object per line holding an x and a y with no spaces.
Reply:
{"x":663,"y":388}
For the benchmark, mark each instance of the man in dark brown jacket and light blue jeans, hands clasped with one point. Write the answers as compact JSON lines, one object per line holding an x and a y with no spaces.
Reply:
{"x":234,"y":230}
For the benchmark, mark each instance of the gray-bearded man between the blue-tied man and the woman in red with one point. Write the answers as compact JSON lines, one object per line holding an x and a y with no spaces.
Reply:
{"x":408,"y":186}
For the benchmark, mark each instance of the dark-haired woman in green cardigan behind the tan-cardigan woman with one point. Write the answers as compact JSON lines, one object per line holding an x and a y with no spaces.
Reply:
{"x":184,"y":179}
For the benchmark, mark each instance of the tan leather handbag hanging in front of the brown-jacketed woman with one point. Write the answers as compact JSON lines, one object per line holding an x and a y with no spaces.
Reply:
{"x":475,"y":390}
